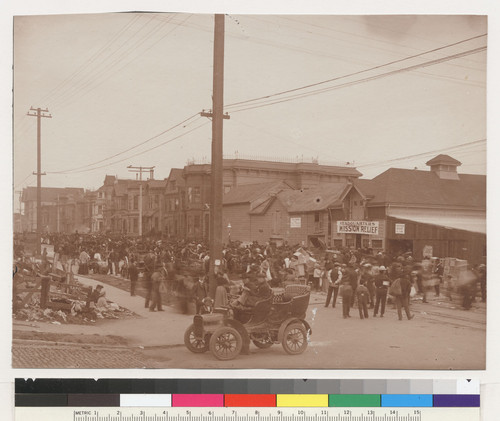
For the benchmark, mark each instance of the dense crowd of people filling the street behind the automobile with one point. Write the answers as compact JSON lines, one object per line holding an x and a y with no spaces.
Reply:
{"x":360,"y":277}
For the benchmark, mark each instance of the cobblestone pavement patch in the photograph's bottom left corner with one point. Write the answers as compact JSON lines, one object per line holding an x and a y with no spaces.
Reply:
{"x":30,"y":354}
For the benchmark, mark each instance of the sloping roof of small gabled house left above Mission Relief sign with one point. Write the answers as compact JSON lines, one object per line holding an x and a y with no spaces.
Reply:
{"x":314,"y":199}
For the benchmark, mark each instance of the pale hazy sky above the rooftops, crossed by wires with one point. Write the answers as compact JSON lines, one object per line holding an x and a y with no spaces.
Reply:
{"x":127,"y":89}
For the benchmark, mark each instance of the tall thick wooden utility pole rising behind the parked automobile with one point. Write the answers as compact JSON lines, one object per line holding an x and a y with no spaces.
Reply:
{"x":218,"y":116}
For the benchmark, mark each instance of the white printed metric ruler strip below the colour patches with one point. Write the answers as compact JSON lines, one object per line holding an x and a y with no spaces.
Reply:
{"x":247,"y":414}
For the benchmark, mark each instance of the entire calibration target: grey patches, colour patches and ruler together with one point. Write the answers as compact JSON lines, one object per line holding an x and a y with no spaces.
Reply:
{"x":246,"y":400}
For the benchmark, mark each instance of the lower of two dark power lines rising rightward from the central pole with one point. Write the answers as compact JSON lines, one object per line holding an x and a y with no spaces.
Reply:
{"x":356,"y":82}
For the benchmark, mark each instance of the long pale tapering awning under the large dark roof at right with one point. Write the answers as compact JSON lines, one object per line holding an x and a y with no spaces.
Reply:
{"x":466,"y":223}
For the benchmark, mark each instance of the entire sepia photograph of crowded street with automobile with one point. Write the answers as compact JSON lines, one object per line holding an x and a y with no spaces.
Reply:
{"x":219,"y":191}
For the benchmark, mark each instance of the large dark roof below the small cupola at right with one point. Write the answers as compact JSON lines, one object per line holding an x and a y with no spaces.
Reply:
{"x":415,"y":187}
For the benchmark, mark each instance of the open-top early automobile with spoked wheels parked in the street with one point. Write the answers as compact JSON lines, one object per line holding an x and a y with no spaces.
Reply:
{"x":227,"y":332}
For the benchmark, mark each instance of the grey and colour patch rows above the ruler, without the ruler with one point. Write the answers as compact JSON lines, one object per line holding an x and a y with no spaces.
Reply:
{"x":273,"y":393}
